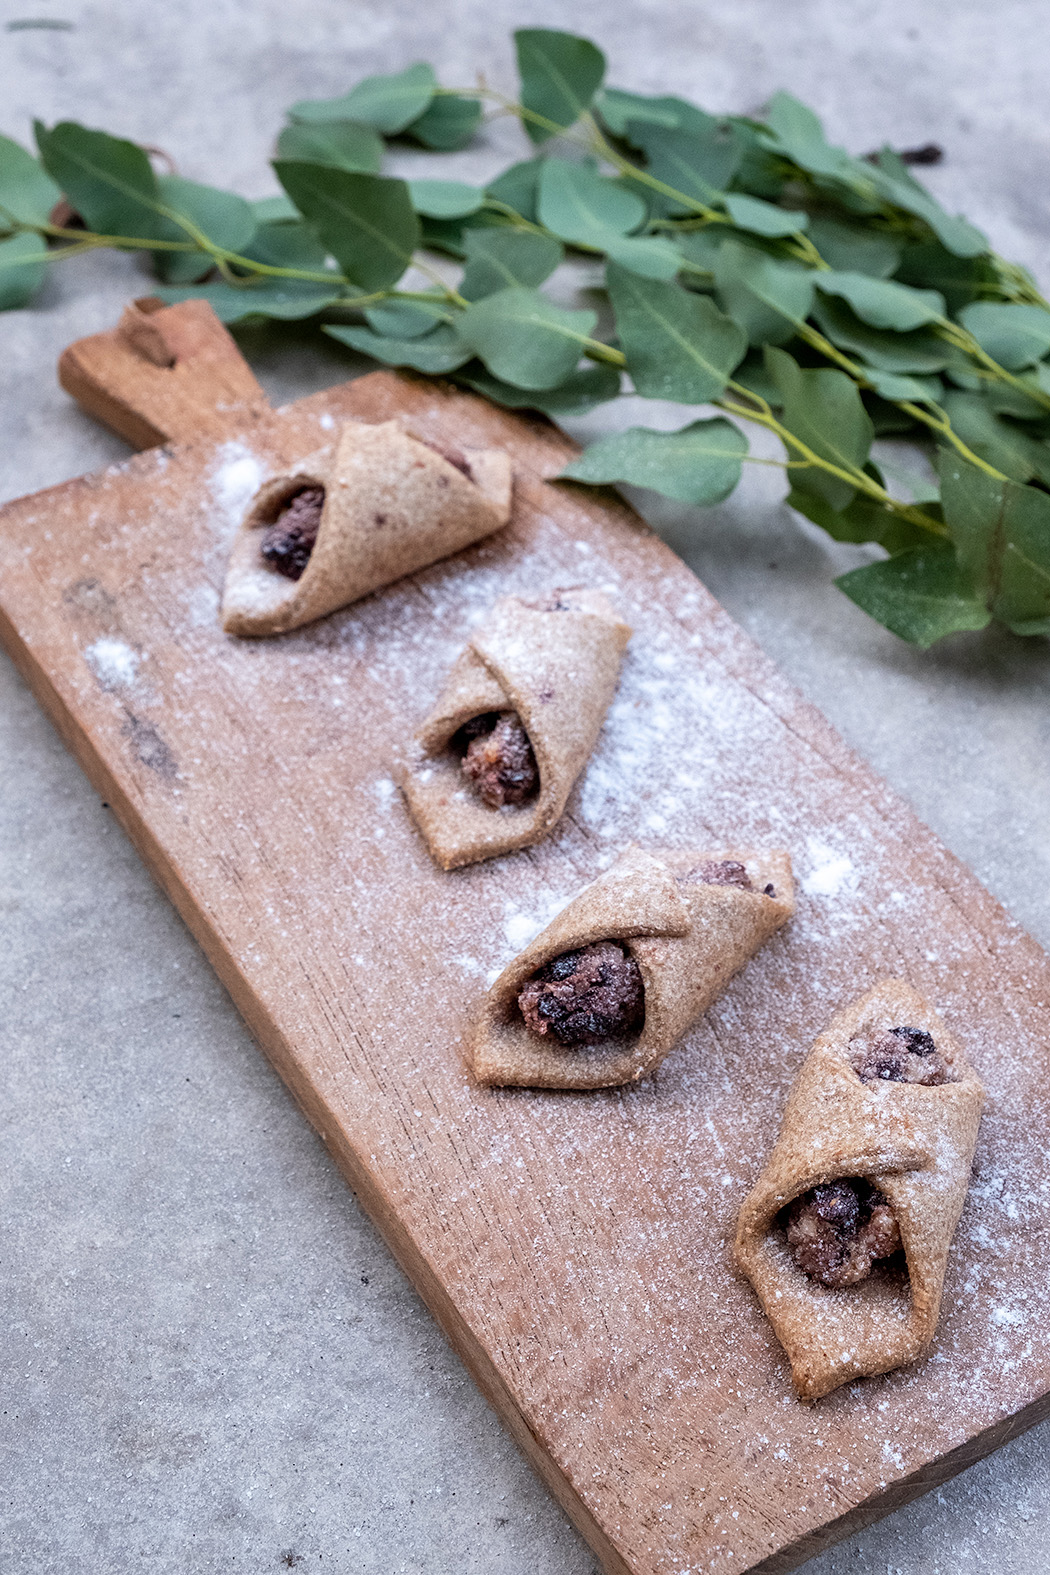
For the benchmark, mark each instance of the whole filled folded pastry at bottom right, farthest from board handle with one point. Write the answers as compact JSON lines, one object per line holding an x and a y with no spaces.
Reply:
{"x":846,"y":1234}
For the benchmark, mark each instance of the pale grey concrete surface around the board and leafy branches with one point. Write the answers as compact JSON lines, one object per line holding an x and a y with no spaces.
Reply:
{"x":209,"y":1357}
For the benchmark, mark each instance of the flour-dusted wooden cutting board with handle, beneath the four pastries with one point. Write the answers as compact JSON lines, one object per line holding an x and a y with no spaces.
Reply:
{"x":572,"y":1247}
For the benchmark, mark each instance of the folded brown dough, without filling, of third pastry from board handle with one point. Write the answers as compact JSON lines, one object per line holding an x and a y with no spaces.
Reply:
{"x":687,"y":938}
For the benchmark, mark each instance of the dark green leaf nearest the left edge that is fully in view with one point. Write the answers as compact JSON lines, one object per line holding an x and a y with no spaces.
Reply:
{"x":109,"y":182}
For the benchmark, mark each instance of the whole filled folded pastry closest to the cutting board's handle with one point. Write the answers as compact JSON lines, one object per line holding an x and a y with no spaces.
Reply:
{"x":374,"y":506}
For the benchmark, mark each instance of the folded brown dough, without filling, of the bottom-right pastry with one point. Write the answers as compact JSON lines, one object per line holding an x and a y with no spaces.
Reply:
{"x":915,"y":1144}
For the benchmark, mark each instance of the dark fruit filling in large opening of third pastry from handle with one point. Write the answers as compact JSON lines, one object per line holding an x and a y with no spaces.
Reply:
{"x":586,"y":996}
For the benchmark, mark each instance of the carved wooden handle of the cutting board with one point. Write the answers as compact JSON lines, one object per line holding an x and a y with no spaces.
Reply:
{"x":166,"y":374}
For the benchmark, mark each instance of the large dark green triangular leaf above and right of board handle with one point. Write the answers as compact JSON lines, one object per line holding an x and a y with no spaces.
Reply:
{"x":366,"y":221}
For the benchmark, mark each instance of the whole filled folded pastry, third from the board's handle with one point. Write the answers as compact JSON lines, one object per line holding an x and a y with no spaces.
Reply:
{"x":615,"y":982}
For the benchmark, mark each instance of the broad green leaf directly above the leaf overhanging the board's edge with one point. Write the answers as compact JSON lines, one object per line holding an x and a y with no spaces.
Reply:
{"x":678,"y":346}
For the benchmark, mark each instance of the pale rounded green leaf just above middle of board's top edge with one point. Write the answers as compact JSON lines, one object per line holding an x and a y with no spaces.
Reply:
{"x":525,"y":339}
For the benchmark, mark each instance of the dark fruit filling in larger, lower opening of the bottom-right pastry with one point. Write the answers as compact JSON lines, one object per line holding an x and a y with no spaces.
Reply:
{"x":840,"y":1229}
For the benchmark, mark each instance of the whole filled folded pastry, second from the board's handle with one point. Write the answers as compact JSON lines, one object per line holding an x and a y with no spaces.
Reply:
{"x":514,"y":727}
